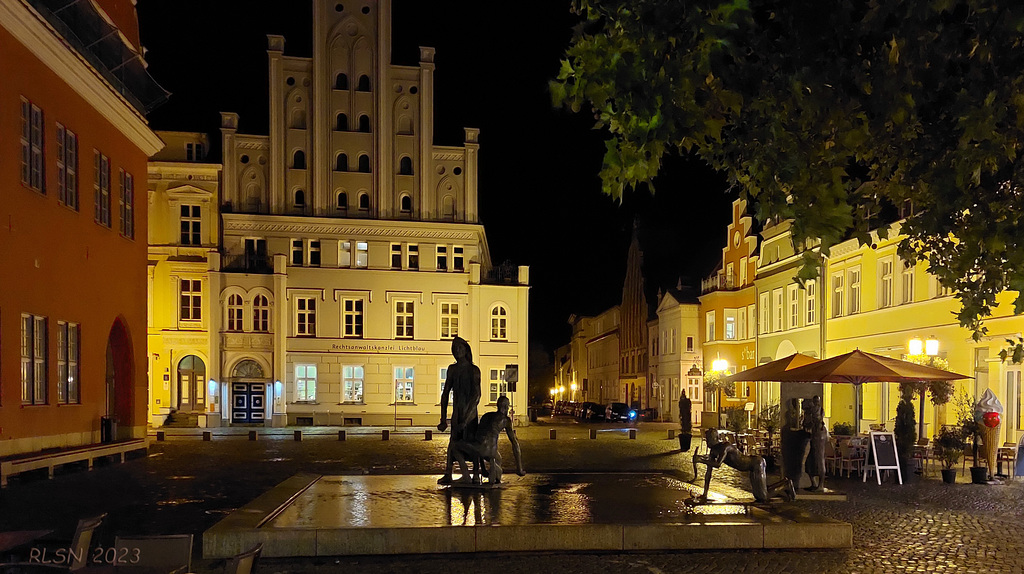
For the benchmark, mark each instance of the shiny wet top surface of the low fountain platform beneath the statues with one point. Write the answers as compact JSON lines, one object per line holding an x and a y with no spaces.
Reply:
{"x":396,"y":502}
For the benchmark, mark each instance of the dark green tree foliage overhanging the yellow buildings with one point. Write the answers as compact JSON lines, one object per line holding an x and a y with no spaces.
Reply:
{"x":831,"y":113}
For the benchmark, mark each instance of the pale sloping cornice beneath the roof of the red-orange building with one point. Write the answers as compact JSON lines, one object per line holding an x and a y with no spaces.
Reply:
{"x":39,"y":37}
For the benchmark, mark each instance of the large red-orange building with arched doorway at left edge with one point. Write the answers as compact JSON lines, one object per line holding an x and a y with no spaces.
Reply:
{"x":74,"y":147}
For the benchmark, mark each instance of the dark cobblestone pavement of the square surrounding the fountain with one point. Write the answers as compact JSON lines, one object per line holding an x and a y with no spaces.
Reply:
{"x":187,"y":485}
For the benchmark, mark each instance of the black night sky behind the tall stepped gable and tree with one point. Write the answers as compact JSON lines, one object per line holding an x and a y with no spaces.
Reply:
{"x":540,"y":195}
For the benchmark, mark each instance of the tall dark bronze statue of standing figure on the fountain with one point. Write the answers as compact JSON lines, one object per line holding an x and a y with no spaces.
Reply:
{"x":463,"y":382}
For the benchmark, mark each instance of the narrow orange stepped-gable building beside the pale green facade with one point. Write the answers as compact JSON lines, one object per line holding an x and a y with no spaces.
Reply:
{"x":729,"y":312}
